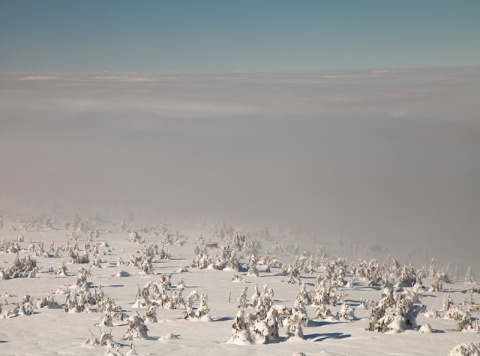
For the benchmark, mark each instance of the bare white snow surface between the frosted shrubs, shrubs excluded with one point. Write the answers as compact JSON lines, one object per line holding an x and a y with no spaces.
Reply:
{"x":55,"y":332}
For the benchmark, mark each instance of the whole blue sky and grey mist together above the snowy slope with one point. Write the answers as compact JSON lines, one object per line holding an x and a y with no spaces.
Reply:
{"x":358,"y":119}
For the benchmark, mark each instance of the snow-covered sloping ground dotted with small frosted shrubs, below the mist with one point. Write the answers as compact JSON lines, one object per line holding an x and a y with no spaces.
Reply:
{"x":112,"y":246}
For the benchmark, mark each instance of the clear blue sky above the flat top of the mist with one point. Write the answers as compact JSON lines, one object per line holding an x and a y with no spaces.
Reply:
{"x":227,"y":35}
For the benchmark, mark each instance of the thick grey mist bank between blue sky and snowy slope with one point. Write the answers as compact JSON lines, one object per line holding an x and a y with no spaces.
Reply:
{"x":386,"y":156}
